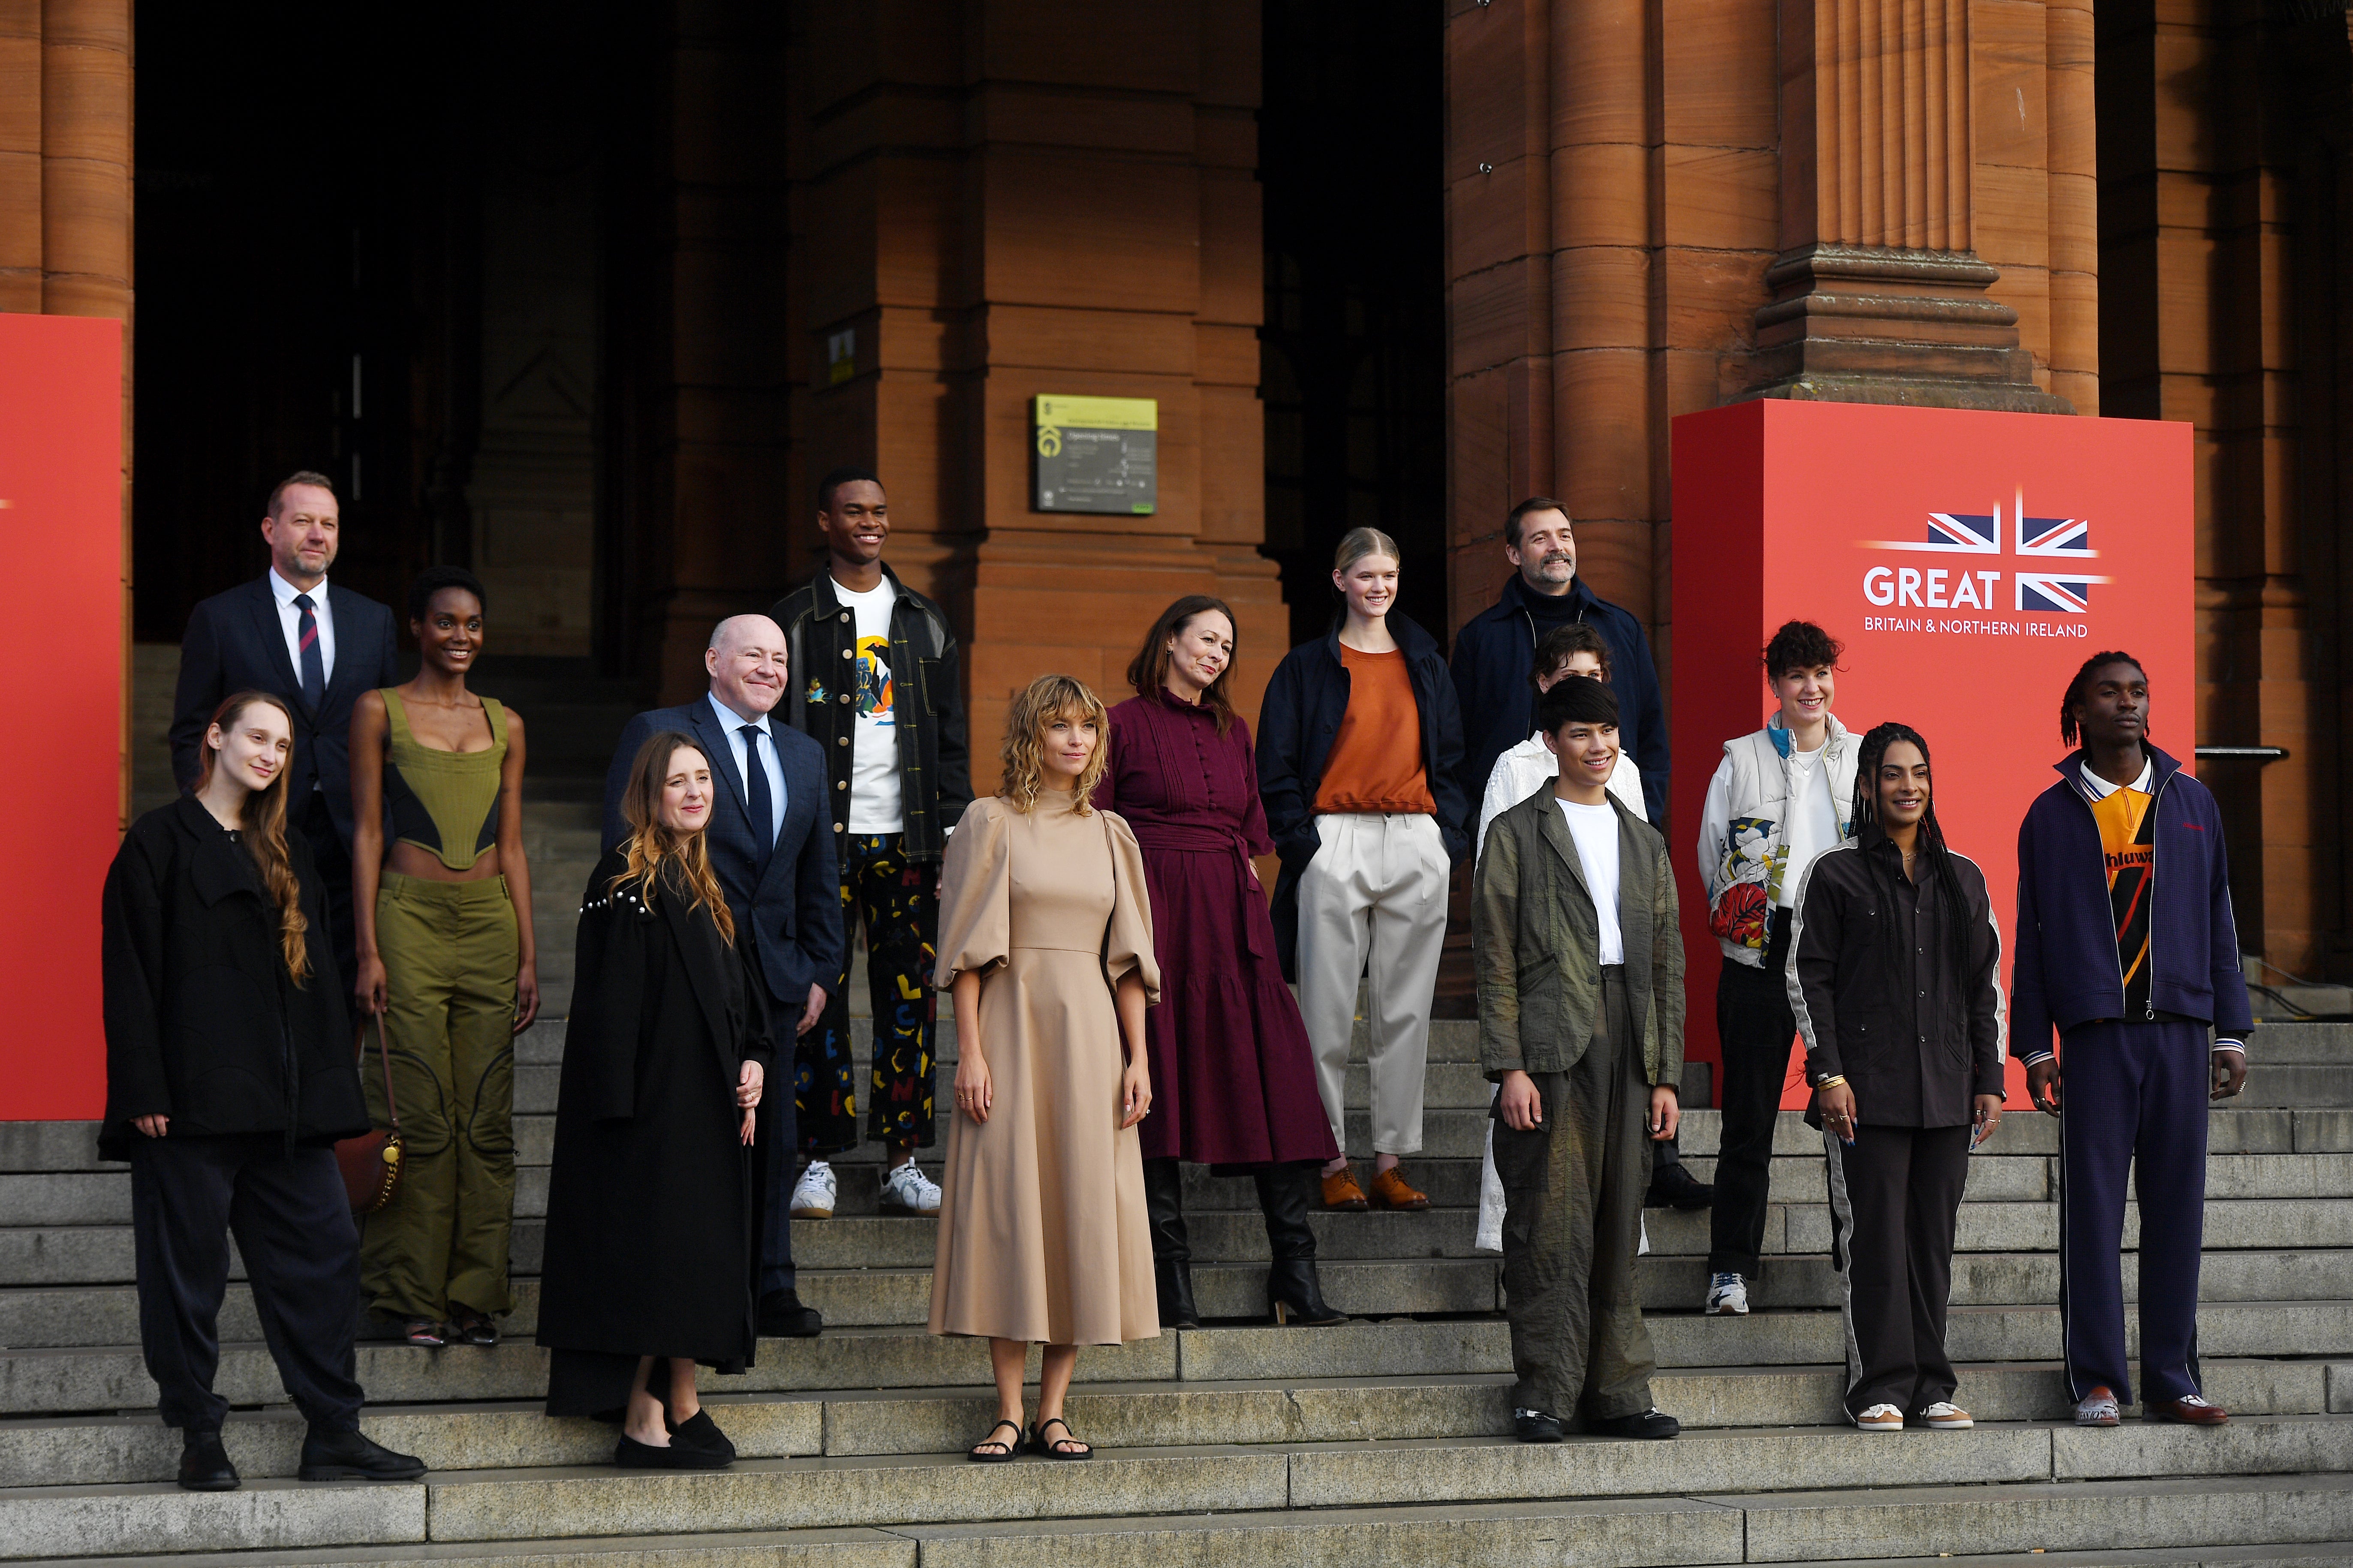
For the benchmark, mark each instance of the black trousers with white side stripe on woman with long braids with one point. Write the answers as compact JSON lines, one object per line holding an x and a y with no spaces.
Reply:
{"x":1895,"y":1200}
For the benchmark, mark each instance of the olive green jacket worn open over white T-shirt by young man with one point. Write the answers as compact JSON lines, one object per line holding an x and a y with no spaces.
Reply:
{"x":1535,"y":946}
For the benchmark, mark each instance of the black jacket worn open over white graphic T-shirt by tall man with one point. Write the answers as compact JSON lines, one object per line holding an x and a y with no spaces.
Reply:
{"x":928,"y":706}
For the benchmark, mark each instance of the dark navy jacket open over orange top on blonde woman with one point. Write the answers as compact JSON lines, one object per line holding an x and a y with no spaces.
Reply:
{"x":1300,"y":718}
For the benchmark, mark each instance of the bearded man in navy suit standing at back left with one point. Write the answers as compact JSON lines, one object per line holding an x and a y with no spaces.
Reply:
{"x":319,"y":652}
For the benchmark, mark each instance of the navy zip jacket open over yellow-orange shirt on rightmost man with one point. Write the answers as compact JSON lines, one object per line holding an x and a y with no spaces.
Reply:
{"x":2067,"y":967}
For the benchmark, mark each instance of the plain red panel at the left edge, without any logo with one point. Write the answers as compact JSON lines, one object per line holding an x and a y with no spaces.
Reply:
{"x":62,"y":674}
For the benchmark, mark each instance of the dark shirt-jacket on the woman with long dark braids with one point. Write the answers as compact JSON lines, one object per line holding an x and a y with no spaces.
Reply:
{"x":1914,"y":1038}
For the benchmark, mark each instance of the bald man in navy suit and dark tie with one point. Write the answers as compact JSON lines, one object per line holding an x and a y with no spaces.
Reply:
{"x":773,"y":850}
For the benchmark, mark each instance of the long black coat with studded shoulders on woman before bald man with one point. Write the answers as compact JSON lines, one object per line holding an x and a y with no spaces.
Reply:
{"x":653,"y":1200}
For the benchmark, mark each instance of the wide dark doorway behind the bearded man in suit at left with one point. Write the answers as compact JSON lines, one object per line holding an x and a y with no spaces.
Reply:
{"x":368,"y":246}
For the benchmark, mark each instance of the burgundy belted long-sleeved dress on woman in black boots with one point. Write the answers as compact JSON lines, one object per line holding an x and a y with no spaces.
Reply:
{"x":1234,"y":1078}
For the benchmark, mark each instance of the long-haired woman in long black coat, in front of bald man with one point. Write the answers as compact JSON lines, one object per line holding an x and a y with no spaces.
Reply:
{"x":653,"y":1245}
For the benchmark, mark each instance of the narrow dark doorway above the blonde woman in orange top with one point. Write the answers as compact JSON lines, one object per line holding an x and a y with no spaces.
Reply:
{"x":1354,"y":344}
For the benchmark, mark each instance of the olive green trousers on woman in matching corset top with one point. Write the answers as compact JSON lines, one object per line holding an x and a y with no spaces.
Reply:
{"x":451,"y":1021}
